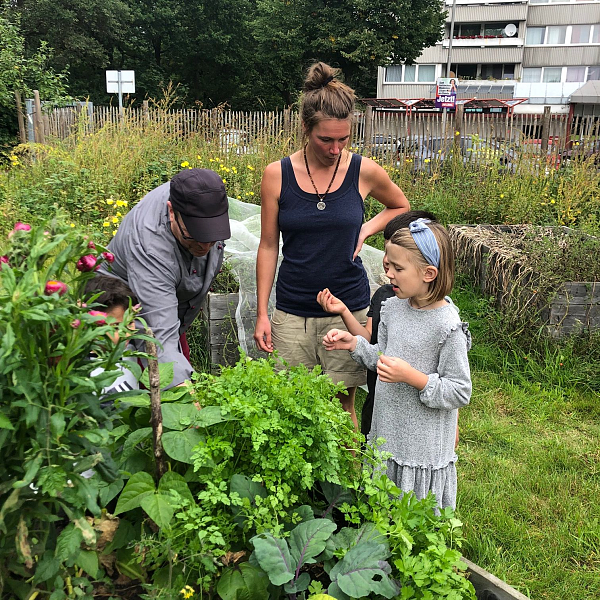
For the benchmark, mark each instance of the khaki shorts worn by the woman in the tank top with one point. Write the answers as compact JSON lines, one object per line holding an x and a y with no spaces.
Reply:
{"x":299,"y":340}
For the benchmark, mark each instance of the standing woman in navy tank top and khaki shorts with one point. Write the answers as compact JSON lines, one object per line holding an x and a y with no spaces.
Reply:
{"x":314,"y":199}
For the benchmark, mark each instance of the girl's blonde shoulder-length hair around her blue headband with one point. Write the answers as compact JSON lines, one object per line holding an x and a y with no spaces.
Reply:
{"x":442,"y":285}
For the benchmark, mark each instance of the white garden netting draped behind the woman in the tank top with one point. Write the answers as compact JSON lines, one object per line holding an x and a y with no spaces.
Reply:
{"x":240,"y":254}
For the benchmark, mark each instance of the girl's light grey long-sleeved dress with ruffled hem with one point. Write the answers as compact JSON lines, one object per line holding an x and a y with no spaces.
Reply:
{"x":420,"y":426}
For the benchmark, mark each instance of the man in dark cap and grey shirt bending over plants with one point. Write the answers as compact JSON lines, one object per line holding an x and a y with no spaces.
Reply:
{"x":168,"y":250}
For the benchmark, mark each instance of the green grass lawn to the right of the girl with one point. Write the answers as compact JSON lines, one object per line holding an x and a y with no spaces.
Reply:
{"x":529,"y":463}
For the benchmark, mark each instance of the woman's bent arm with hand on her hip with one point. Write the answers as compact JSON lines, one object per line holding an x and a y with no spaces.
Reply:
{"x":374,"y":181}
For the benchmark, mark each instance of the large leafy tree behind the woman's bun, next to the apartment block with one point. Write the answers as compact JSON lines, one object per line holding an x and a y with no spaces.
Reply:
{"x":355,"y":35}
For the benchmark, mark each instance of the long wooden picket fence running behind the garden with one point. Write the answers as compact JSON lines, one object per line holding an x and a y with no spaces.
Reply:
{"x":390,"y":137}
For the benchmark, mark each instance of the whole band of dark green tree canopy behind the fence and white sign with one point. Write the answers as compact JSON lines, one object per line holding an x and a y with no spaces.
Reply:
{"x":247,"y":53}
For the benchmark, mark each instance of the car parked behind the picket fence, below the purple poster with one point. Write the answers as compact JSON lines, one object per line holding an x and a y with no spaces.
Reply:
{"x":425,"y":152}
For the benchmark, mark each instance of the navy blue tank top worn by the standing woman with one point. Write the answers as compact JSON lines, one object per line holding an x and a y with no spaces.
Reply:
{"x":318,"y":245}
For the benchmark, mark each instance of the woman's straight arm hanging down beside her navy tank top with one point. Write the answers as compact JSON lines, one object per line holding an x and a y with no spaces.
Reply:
{"x":268,"y":253}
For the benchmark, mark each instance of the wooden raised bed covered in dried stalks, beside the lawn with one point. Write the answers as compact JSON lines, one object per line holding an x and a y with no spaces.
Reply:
{"x":498,"y":260}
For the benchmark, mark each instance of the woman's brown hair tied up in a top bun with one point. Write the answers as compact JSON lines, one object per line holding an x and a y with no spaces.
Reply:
{"x":325,"y":97}
